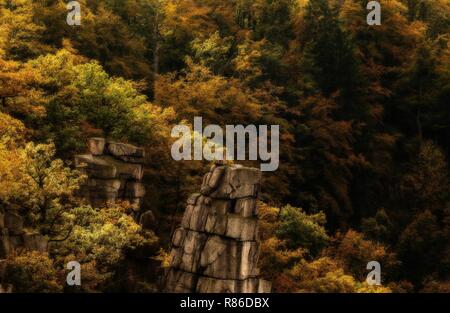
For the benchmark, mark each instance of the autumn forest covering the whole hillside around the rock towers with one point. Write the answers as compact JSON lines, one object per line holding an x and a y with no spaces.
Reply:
{"x":364,"y":117}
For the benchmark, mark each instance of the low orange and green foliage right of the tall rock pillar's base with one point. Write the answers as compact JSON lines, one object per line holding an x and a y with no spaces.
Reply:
{"x":292,"y":269}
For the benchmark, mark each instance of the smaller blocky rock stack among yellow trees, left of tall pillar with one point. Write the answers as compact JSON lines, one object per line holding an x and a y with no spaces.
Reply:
{"x":114,"y":172}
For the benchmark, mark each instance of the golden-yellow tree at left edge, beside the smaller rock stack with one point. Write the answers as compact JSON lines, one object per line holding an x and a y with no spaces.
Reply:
{"x":34,"y":181}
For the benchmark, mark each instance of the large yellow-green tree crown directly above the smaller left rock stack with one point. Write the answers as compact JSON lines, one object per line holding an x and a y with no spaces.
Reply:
{"x":83,"y":100}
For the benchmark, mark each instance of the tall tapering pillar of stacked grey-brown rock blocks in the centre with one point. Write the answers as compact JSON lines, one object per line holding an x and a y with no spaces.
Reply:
{"x":216,"y":249}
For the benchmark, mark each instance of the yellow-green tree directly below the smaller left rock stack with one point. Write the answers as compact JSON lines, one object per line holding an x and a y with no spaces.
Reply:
{"x":100,"y":241}
